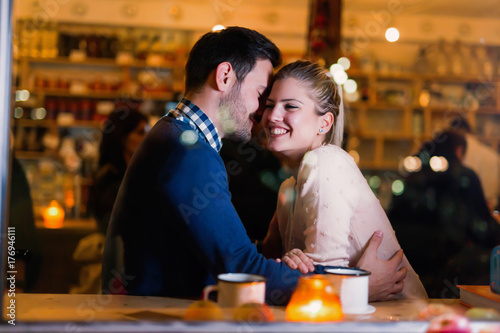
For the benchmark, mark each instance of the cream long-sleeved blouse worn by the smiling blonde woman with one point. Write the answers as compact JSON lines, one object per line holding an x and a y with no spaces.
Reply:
{"x":331,"y":213}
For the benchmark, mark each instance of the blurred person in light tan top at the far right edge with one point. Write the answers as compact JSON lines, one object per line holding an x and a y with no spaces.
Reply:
{"x":484,"y":160}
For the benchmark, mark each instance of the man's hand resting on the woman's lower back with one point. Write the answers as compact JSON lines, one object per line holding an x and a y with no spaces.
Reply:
{"x":386,"y":279}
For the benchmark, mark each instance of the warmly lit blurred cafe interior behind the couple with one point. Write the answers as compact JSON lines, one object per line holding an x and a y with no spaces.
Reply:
{"x":75,"y":60}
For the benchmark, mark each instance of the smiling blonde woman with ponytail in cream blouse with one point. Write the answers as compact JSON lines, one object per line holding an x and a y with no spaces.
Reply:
{"x":326,"y":208}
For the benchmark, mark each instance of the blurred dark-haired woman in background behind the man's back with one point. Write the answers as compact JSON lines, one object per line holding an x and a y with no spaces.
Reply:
{"x":123,"y":133}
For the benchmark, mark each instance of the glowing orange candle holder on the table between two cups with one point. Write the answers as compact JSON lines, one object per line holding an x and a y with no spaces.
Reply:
{"x":314,"y":300}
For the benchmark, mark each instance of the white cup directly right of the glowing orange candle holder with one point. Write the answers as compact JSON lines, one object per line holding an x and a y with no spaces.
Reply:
{"x":352,"y":285}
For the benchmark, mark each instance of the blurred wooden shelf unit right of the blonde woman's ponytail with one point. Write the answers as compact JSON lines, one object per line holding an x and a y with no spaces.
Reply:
{"x":395,"y":113}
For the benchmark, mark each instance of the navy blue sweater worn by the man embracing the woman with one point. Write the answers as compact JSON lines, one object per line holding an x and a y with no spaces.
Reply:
{"x":174,"y":229}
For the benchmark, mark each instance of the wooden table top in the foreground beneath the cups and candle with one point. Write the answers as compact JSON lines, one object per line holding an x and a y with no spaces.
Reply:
{"x":113,"y":313}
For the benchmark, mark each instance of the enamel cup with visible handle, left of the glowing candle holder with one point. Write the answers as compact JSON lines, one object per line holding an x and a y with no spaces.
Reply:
{"x":235,"y":289}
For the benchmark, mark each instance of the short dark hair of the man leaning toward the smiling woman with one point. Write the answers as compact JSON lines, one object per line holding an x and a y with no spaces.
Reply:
{"x":240,"y":47}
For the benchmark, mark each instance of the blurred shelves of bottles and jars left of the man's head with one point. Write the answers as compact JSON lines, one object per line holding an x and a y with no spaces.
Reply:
{"x":75,"y":94}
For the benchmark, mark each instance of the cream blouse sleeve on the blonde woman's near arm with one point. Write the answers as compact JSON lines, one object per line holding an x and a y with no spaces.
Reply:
{"x":327,"y":190}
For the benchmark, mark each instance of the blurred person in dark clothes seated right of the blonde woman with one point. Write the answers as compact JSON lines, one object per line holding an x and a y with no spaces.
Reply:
{"x":442,"y":220}
